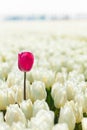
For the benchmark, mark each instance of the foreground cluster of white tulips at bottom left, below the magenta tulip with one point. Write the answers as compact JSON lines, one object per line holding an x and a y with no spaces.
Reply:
{"x":35,"y":116}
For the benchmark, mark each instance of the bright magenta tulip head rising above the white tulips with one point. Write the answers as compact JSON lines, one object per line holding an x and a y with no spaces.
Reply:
{"x":25,"y":61}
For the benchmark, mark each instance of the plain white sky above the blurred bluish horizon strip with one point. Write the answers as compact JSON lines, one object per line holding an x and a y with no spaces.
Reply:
{"x":48,"y":7}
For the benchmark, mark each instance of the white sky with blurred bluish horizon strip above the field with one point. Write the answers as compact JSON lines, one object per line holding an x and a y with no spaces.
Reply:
{"x":42,"y":9}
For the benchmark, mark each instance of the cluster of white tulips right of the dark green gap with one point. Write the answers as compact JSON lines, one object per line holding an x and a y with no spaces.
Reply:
{"x":70,"y":97}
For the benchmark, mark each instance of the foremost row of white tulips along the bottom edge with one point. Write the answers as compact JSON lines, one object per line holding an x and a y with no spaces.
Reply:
{"x":23,"y":117}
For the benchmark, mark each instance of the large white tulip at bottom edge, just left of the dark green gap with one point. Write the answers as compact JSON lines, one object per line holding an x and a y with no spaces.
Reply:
{"x":44,"y":120}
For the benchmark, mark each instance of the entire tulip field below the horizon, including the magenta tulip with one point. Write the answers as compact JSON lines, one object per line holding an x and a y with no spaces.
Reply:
{"x":56,"y":76}
